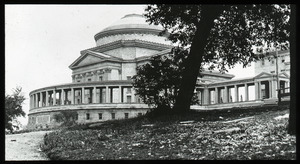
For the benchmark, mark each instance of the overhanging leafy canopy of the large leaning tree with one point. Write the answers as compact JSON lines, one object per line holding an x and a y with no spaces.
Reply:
{"x":236,"y":30}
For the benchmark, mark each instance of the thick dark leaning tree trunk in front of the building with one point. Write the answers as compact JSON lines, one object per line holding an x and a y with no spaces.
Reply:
{"x":192,"y":65}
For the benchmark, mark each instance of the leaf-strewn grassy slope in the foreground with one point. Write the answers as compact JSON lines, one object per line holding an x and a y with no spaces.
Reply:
{"x":240,"y":133}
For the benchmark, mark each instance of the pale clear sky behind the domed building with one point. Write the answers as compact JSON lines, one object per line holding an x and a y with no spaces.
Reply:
{"x":41,"y":41}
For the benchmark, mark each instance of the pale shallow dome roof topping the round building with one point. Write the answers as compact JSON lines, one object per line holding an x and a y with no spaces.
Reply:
{"x":129,"y":24}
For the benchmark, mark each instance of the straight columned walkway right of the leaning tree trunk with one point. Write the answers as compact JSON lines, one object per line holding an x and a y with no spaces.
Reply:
{"x":219,"y":92}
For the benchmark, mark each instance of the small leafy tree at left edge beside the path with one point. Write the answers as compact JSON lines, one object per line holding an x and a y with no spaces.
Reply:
{"x":13,"y":109}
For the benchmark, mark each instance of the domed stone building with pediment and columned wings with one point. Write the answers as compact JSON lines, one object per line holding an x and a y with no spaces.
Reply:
{"x":101,"y":87}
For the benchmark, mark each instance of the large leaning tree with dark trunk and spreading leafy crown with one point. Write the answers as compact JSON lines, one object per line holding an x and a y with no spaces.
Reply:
{"x":220,"y":35}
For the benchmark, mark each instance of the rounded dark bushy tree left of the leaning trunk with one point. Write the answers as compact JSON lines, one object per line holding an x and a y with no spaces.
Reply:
{"x":157,"y":82}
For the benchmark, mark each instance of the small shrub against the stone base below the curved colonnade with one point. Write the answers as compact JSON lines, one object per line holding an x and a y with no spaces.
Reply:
{"x":67,"y":118}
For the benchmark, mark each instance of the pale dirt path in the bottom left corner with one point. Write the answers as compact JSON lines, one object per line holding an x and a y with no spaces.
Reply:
{"x":24,"y":146}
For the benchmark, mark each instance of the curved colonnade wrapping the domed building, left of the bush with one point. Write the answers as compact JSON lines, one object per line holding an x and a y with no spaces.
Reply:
{"x":82,"y":95}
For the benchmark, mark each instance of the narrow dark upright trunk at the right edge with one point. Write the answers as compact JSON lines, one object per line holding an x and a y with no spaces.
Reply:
{"x":292,"y":117}
